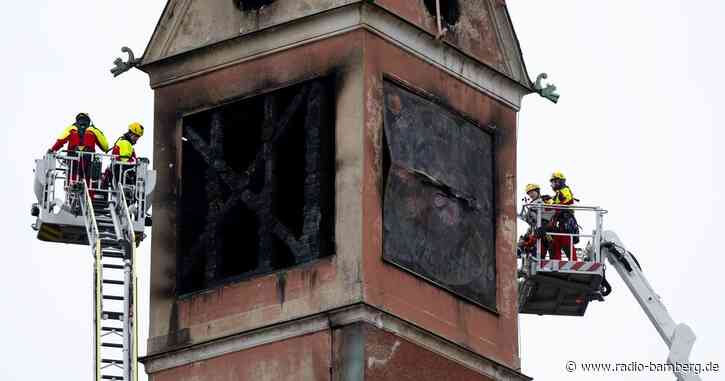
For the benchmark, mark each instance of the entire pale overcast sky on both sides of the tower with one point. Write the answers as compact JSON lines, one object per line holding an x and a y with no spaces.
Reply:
{"x":636,"y":132}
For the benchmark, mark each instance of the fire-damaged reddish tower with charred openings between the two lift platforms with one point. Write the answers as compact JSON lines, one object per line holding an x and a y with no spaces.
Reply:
{"x":336,"y":190}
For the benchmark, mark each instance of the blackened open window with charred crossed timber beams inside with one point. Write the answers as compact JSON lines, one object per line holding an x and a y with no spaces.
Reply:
{"x":257,"y":186}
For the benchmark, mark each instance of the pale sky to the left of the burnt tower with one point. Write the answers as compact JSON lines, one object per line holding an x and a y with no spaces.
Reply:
{"x":56,"y":62}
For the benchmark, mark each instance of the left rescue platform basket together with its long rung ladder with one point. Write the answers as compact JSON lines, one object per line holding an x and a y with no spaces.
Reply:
{"x":78,"y":203}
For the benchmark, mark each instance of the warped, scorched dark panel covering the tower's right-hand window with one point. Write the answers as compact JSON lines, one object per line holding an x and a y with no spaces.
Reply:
{"x":439,"y":196}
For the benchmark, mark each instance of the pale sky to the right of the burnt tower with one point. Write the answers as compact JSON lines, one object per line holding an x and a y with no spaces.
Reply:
{"x":637,"y":131}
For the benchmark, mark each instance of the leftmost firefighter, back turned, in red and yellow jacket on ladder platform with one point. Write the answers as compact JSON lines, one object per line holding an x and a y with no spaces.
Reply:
{"x":82,"y":138}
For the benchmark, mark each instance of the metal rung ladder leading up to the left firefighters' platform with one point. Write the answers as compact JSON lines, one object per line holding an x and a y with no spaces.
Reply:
{"x":112,"y":241}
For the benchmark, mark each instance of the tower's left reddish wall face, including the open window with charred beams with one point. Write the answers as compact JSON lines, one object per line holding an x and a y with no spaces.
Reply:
{"x":271,"y":204}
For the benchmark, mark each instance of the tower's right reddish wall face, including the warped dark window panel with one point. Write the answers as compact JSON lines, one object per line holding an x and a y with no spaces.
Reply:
{"x":456,"y":217}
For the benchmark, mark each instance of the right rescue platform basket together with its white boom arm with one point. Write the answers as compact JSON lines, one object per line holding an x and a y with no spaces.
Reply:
{"x":566,"y":287}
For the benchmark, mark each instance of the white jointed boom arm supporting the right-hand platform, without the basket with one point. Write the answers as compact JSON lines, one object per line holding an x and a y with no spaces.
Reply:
{"x":679,"y":337}
